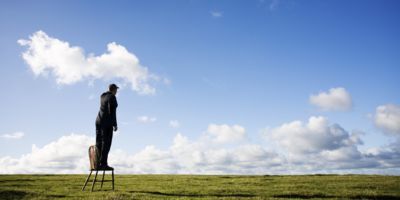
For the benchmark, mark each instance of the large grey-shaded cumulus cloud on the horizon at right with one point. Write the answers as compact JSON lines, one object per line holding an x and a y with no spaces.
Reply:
{"x":319,"y":146}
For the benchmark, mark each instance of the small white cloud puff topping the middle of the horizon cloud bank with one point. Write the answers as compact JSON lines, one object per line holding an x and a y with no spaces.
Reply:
{"x":225,"y":133}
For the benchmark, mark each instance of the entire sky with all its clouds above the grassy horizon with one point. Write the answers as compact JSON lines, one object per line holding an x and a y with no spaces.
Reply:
{"x":206,"y":87}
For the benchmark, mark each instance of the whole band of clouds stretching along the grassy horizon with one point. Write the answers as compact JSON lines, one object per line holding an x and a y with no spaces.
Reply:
{"x":331,"y":149}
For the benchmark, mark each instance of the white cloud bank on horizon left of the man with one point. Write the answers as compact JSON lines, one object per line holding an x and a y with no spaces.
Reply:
{"x":68,"y":154}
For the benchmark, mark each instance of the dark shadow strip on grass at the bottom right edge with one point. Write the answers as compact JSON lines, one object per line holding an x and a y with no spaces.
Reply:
{"x":322,"y":196}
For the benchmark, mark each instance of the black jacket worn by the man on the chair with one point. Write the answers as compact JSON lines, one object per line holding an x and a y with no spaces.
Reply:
{"x":108,"y":108}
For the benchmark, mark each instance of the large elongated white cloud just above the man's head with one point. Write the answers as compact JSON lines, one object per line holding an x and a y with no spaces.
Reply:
{"x":68,"y":64}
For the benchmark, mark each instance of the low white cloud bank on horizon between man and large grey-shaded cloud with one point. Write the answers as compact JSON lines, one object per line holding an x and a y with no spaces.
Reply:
{"x":201,"y":157}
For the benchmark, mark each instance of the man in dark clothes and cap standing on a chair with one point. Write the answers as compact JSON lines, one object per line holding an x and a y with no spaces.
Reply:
{"x":106,"y":121}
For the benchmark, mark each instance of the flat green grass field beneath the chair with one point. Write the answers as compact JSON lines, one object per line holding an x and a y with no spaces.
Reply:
{"x":203,"y":187}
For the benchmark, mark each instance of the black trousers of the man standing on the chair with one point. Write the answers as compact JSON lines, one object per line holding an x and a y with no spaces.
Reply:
{"x":103,"y":143}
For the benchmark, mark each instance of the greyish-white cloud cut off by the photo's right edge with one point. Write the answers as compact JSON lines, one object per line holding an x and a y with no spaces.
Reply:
{"x":387,"y":117}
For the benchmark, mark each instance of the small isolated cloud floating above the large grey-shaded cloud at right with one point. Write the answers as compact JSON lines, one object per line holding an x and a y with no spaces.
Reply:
{"x":337,"y":99}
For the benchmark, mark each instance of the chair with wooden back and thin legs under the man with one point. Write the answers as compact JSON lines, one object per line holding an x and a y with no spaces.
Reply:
{"x":94,"y":158}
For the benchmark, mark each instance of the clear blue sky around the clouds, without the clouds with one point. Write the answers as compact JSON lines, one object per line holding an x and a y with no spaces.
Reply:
{"x":249,"y":63}
